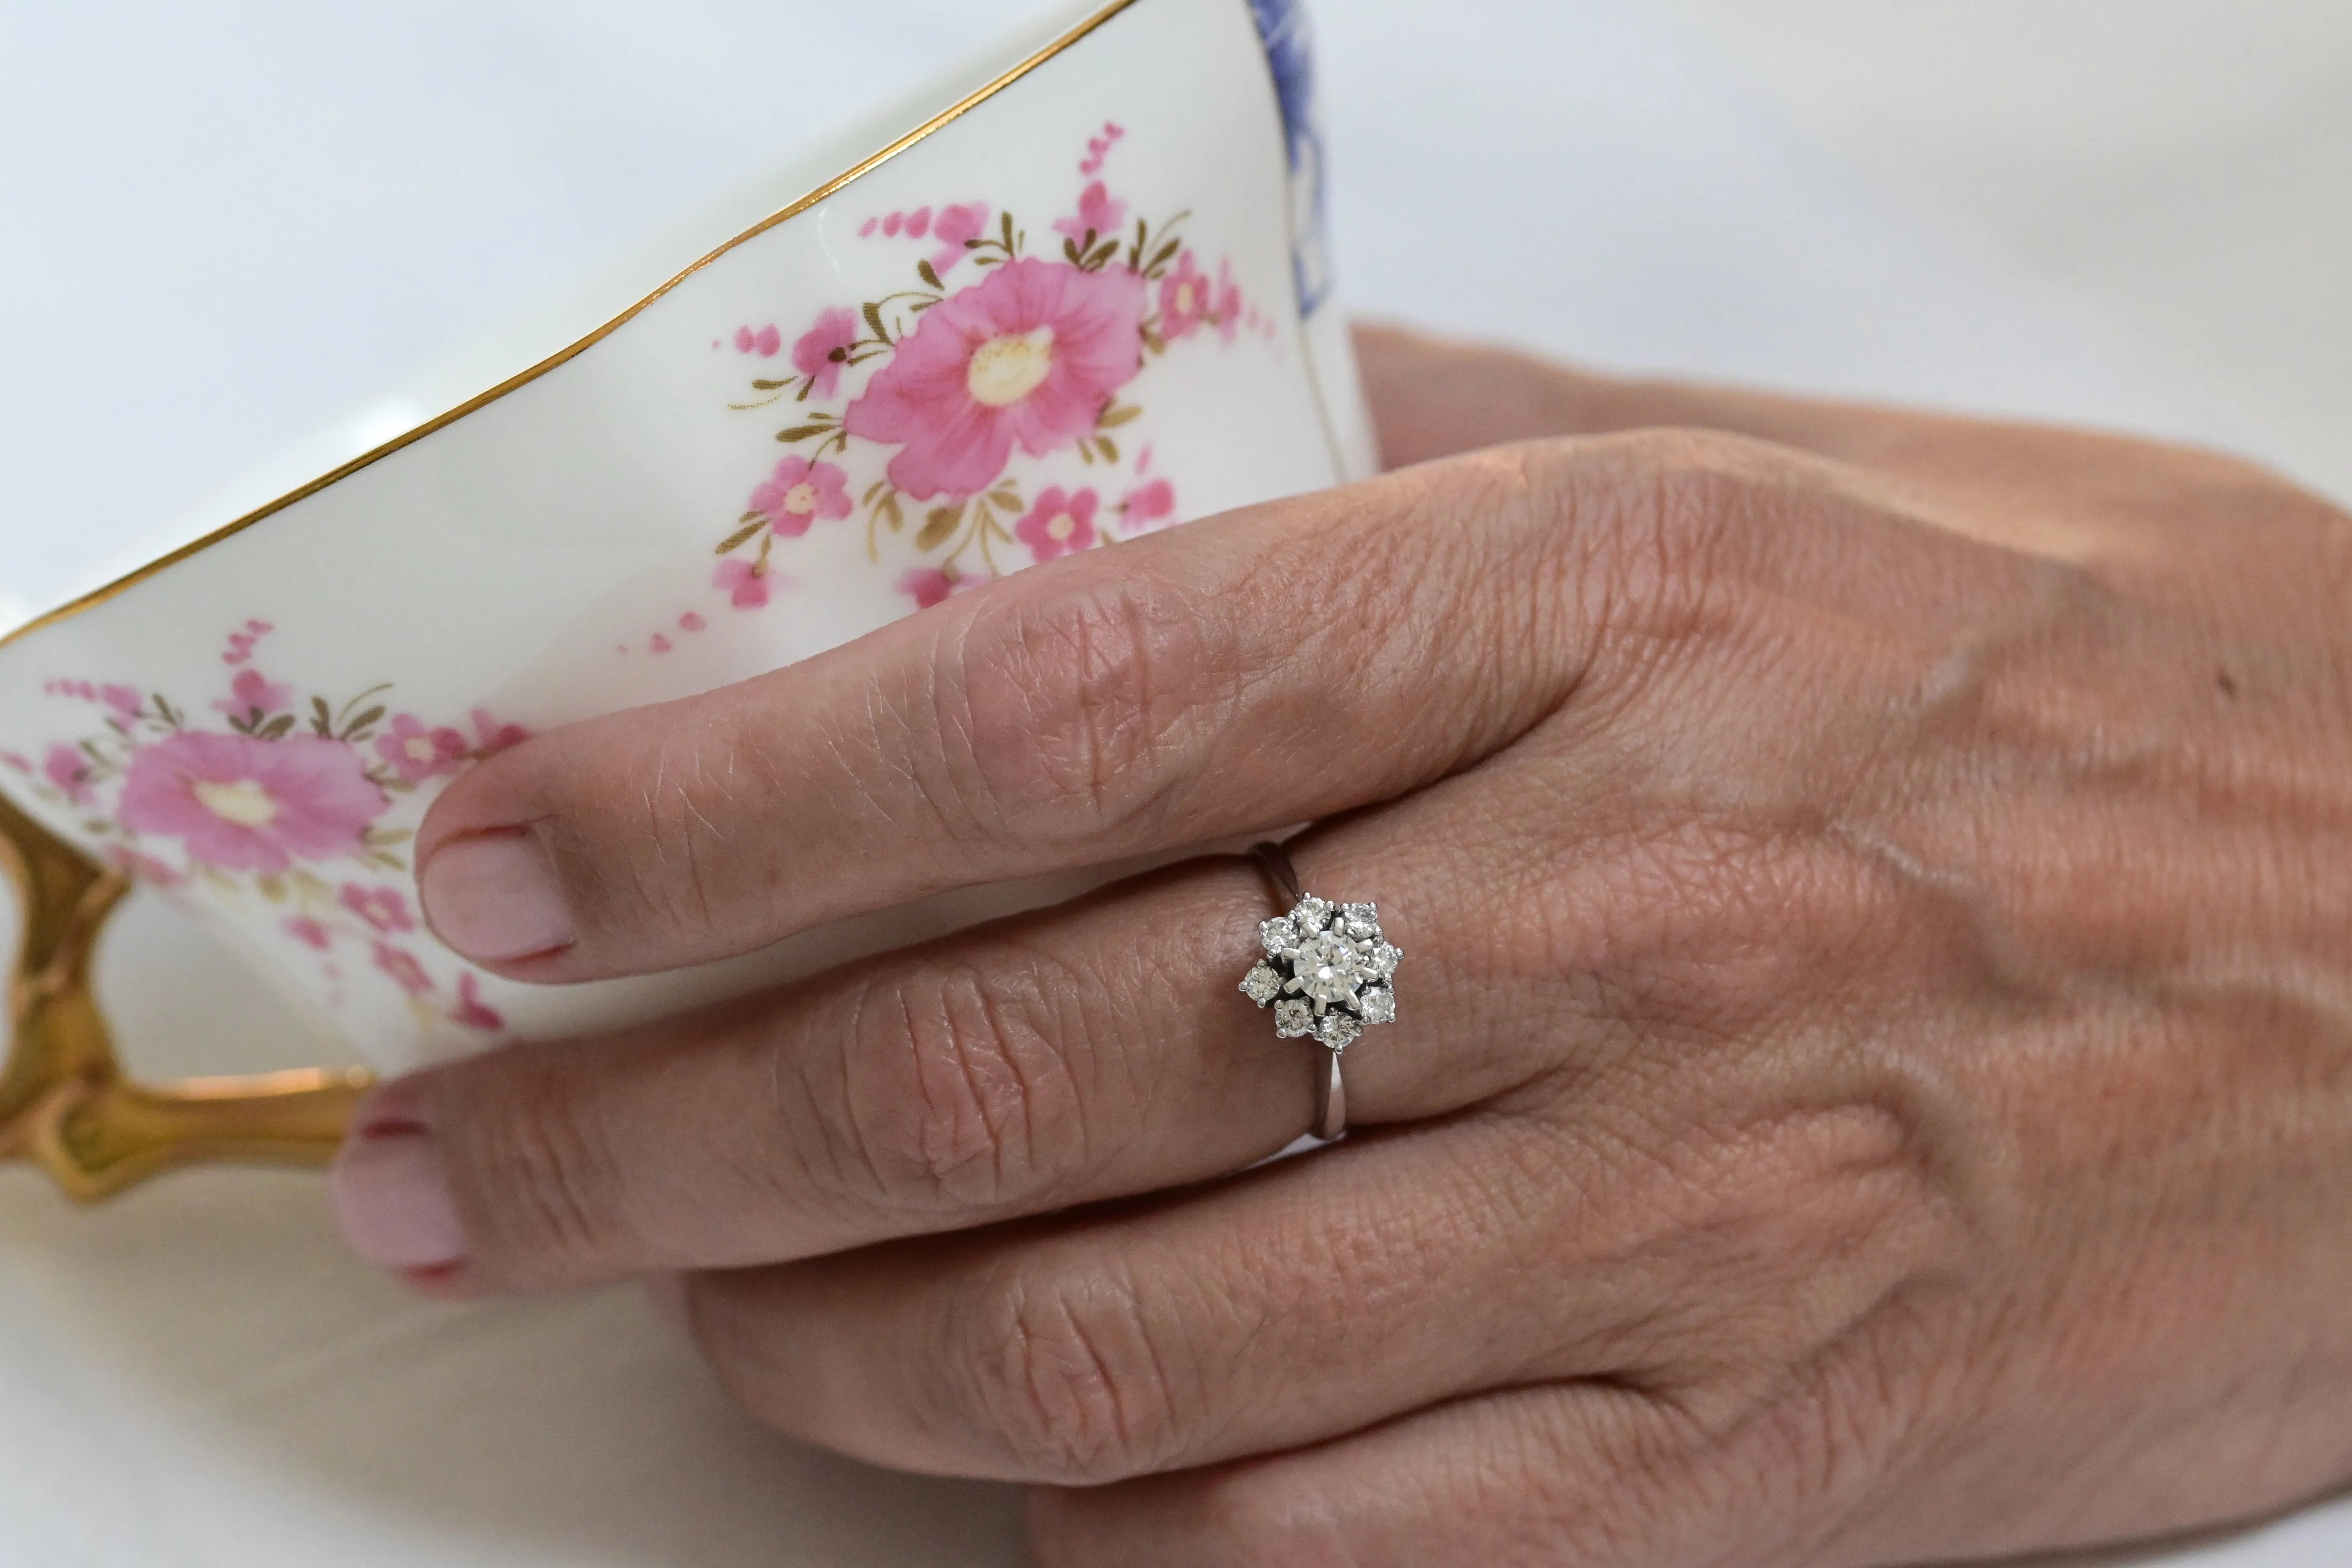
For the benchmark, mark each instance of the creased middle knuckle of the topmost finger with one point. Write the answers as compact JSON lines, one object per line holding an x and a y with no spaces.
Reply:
{"x":1076,"y":713}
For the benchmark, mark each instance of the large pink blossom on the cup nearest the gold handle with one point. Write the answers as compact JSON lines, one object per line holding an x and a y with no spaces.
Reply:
{"x":253,"y":805}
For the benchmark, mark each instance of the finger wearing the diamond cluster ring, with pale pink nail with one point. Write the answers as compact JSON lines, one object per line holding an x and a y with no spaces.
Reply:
{"x":1078,"y":1054}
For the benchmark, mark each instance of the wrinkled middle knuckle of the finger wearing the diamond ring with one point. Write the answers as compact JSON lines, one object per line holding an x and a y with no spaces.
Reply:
{"x":954,"y":1087}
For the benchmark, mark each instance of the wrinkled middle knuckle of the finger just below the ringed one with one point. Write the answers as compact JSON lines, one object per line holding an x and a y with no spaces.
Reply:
{"x":1069,"y":1381}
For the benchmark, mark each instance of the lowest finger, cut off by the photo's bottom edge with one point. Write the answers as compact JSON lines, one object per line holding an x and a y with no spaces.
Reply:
{"x":1584,"y":1473}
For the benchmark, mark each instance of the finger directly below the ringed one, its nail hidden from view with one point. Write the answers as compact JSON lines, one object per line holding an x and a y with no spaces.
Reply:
{"x":1304,"y":1301}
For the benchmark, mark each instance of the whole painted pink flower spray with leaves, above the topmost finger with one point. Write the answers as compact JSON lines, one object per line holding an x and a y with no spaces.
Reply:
{"x":987,"y":427}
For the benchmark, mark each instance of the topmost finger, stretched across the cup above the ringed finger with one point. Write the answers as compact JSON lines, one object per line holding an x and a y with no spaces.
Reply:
{"x":1215,"y":681}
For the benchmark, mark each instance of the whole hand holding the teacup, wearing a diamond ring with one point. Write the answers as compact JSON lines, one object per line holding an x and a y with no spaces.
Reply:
{"x":1876,"y":1052}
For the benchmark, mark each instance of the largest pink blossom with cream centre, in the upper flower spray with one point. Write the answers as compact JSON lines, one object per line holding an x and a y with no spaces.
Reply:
{"x":1024,"y":359}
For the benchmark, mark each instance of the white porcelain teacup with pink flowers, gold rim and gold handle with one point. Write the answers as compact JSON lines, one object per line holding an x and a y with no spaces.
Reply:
{"x":1069,"y":297}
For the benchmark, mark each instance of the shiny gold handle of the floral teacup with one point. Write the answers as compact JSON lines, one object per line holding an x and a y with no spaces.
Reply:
{"x":65,"y":1099}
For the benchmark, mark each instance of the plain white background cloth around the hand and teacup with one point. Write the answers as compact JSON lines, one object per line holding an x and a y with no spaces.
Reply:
{"x":222,"y":225}
